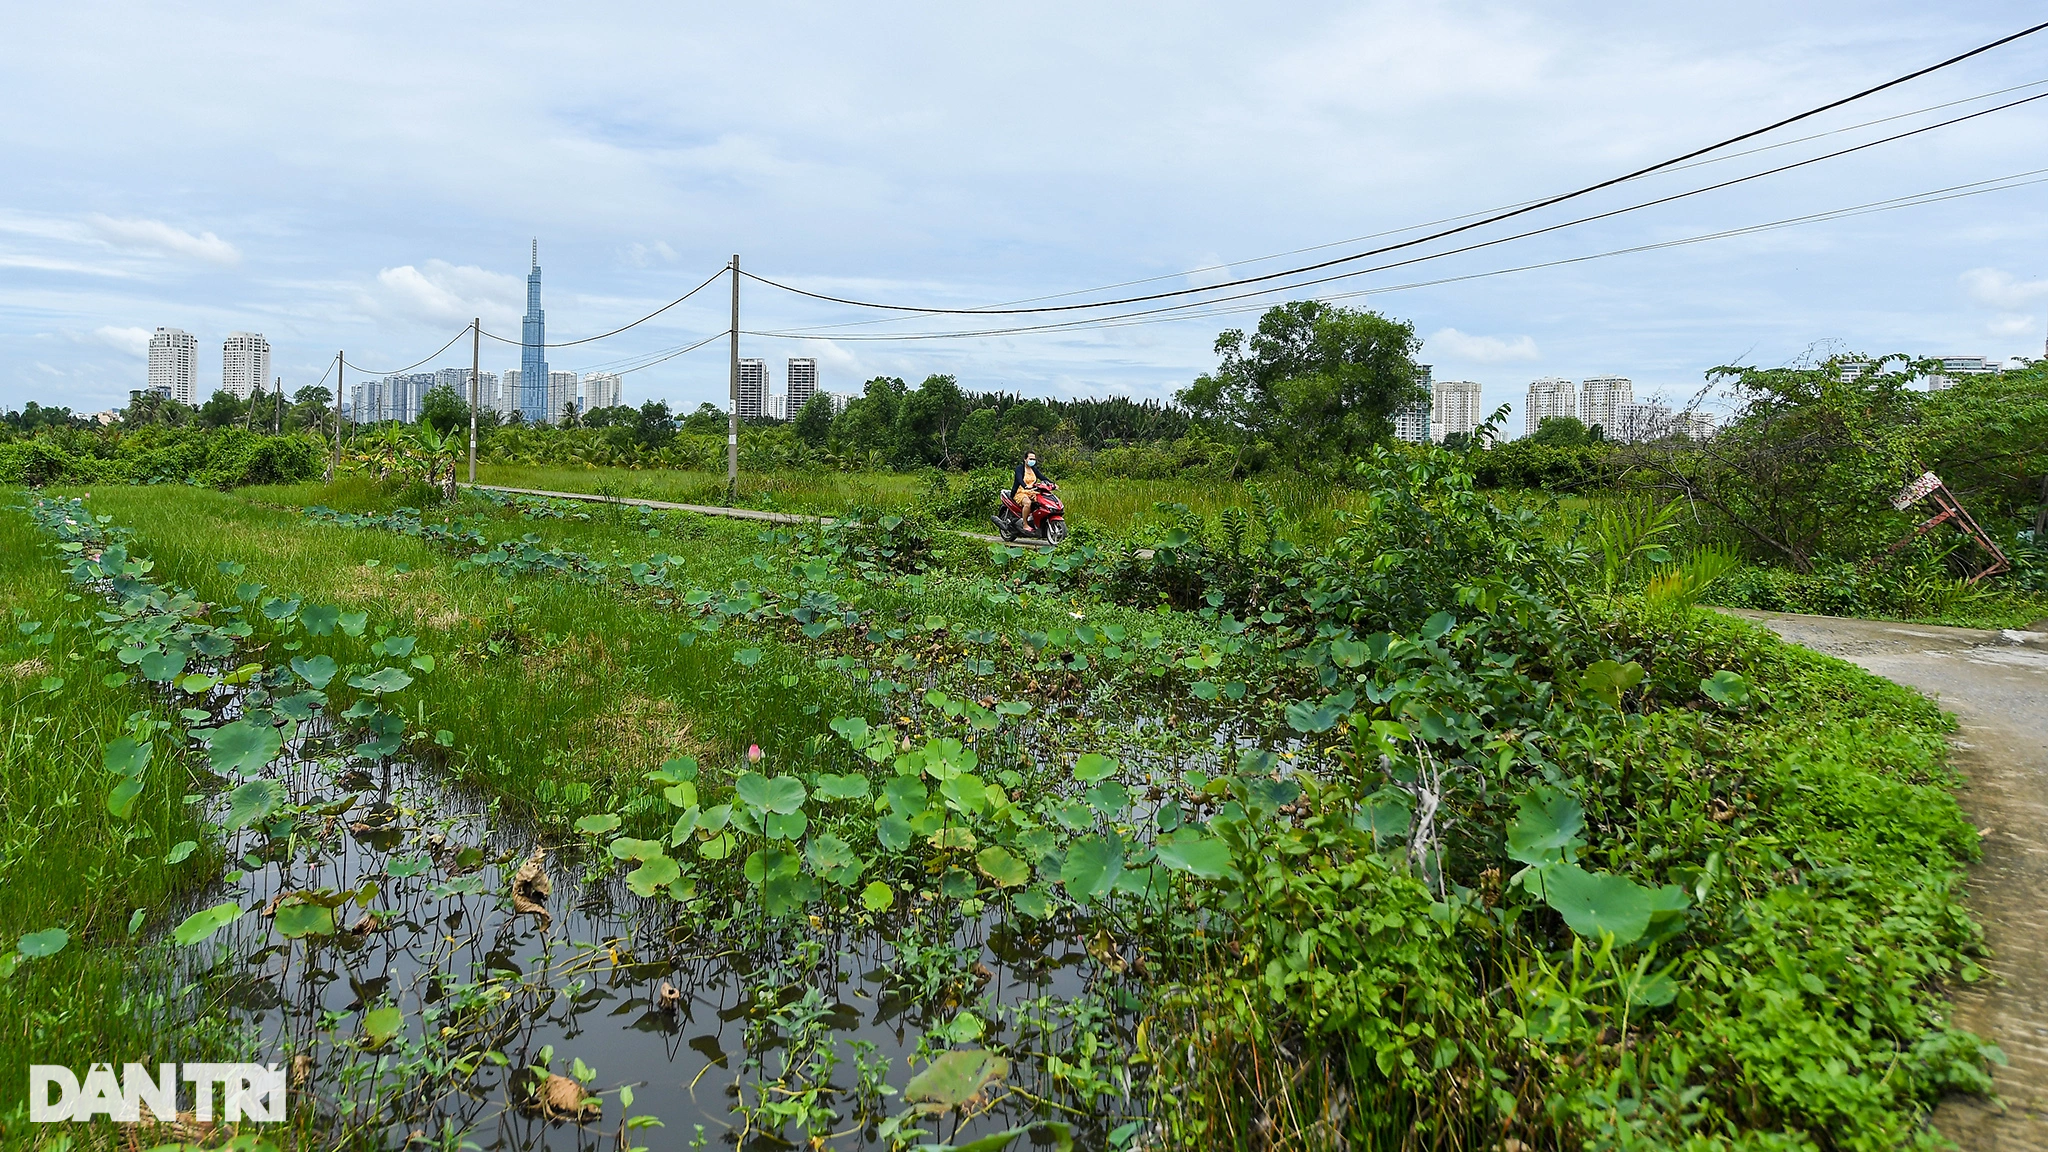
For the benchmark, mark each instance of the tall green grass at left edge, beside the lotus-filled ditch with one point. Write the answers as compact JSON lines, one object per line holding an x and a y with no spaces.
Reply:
{"x":65,"y":860}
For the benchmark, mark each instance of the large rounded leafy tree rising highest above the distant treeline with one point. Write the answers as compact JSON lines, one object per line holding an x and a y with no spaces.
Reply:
{"x":1314,"y":384}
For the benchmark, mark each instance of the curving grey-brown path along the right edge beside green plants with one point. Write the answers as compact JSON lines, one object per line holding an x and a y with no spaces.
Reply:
{"x":1998,"y":688}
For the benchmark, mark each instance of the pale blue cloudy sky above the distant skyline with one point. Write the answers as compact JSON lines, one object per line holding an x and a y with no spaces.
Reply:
{"x":370,"y":177}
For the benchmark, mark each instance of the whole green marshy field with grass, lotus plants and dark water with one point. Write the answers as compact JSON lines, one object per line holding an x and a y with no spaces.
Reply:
{"x":1441,"y":833}
